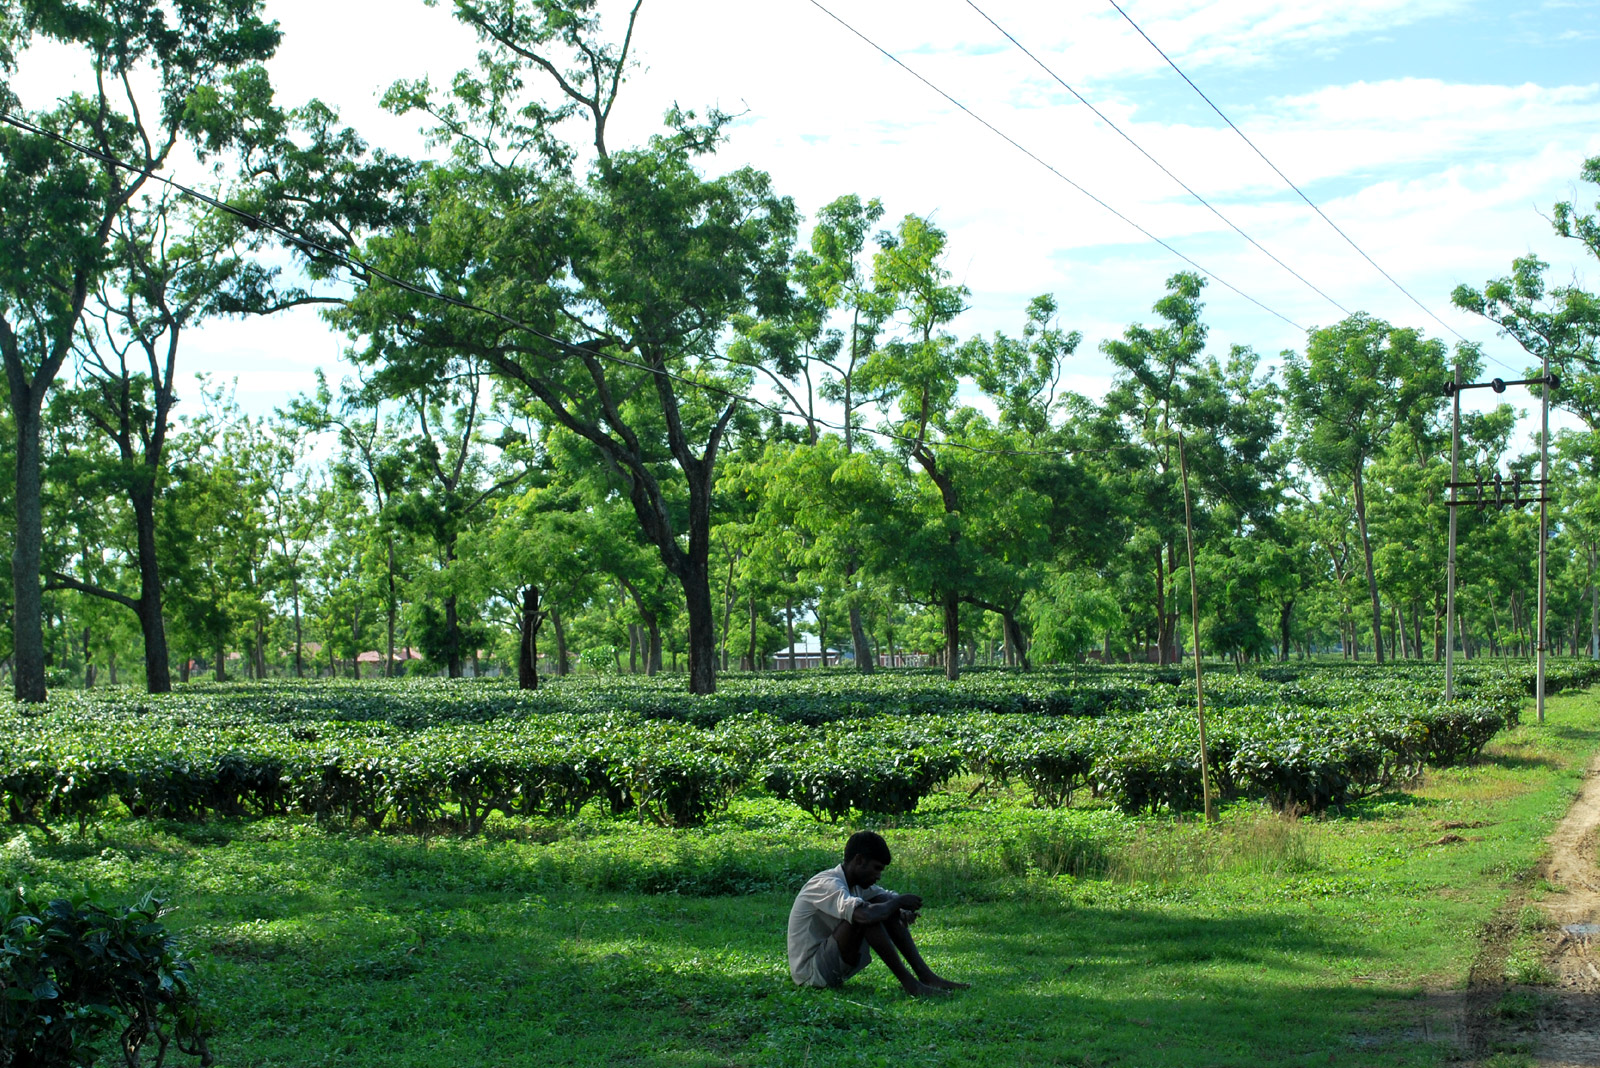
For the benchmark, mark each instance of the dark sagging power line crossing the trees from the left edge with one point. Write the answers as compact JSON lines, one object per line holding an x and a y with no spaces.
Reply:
{"x":366,"y":273}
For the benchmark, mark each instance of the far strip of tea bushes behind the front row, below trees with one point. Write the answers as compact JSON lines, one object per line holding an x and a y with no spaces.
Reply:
{"x":814,"y":696}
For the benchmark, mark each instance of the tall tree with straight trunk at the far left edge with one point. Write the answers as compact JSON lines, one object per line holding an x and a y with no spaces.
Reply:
{"x":58,"y":209}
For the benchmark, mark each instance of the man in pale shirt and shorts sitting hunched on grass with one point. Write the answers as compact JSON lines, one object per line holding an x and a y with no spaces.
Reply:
{"x":844,"y":911}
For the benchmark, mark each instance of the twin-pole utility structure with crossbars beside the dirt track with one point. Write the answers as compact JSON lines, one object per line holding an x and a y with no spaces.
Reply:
{"x":1500,"y":500}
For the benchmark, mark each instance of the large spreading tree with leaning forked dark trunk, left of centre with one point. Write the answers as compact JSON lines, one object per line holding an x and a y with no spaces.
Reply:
{"x":622,"y":282}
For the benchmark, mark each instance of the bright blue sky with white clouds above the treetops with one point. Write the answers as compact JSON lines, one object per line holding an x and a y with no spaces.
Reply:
{"x":1436,"y":133}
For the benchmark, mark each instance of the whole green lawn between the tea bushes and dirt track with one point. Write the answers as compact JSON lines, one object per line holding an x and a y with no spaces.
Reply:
{"x":1092,"y":938}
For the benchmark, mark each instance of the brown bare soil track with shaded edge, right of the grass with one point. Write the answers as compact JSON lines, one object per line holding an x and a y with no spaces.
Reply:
{"x":1562,"y":1024}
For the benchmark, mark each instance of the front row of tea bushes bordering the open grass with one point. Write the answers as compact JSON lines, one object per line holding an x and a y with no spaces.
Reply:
{"x":206,"y":754}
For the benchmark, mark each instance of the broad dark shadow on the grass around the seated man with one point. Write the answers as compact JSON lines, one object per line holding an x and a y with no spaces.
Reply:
{"x":703,"y":982}
